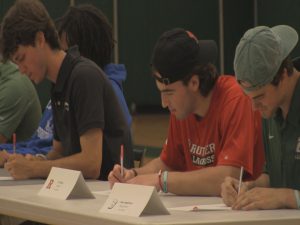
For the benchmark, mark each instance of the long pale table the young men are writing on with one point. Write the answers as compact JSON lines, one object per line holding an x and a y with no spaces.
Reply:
{"x":21,"y":200}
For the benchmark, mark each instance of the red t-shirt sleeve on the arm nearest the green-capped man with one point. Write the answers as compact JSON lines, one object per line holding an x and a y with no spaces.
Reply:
{"x":241,"y":137}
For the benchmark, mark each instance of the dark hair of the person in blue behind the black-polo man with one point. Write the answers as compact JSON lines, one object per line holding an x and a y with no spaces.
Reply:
{"x":87,"y":27}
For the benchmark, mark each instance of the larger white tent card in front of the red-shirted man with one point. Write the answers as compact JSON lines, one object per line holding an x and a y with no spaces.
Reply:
{"x":133,"y":200}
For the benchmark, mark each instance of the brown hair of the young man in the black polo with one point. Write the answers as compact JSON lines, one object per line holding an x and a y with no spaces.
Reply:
{"x":20,"y":25}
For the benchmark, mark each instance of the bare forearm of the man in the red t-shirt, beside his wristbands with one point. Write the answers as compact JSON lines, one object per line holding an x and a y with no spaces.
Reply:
{"x":200,"y":182}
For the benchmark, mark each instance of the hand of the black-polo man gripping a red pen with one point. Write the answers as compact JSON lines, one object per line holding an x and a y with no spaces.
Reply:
{"x":19,"y":167}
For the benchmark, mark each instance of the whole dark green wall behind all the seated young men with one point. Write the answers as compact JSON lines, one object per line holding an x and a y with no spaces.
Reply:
{"x":140,"y":22}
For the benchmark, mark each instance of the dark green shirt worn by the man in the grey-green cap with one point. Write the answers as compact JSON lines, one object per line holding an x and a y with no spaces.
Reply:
{"x":282,"y":145}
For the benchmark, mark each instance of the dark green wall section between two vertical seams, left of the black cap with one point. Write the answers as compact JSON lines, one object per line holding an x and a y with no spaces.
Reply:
{"x":141,"y":23}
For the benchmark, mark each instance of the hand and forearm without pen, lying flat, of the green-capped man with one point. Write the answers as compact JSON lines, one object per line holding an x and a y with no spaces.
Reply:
{"x":265,"y":198}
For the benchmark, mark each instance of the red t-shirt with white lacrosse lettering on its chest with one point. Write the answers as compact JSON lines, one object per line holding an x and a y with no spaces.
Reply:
{"x":229,"y":134}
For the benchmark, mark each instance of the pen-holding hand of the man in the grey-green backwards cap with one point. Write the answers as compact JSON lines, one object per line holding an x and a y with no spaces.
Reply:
{"x":229,"y":190}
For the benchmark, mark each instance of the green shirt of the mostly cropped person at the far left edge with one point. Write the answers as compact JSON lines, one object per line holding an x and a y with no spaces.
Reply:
{"x":20,"y":109}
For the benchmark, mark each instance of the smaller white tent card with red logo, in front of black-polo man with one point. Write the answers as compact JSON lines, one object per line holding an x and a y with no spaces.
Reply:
{"x":65,"y":184}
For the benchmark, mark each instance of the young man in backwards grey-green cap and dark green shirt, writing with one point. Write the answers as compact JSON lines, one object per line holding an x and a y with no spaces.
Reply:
{"x":267,"y":75}
